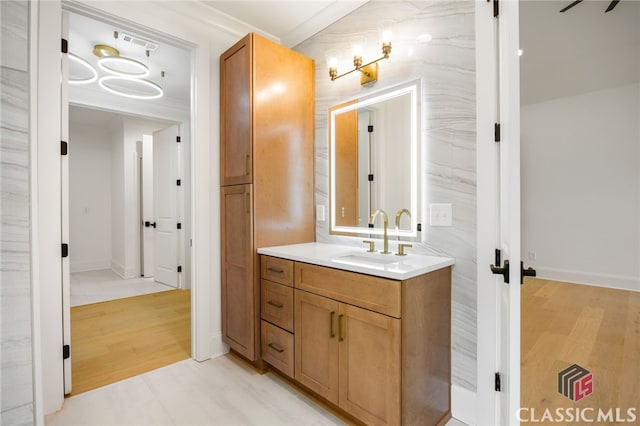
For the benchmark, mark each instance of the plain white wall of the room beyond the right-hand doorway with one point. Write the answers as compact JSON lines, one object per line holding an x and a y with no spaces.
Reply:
{"x":581,"y":187}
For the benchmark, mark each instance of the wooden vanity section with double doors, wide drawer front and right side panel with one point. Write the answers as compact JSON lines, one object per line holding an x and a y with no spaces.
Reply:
{"x":377,"y":348}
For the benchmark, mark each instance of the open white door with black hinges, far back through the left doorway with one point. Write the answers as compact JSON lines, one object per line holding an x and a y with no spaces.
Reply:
{"x":165,"y":200}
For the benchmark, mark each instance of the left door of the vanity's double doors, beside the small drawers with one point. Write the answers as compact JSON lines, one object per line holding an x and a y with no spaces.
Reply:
{"x":316,"y":344}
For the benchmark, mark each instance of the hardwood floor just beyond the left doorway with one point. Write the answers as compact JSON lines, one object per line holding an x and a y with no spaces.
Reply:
{"x":115,"y":340}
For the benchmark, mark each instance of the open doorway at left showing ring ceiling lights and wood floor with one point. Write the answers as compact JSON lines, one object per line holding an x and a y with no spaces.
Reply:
{"x":119,"y":139}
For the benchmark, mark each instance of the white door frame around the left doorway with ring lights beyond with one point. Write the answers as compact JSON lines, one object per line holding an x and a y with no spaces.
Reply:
{"x":45,"y":173}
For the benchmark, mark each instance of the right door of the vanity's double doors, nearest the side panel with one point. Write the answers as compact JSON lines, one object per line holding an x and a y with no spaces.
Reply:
{"x":369,"y":365}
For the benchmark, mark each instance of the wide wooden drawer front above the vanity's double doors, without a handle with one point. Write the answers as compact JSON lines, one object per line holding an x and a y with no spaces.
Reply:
{"x":376,"y":294}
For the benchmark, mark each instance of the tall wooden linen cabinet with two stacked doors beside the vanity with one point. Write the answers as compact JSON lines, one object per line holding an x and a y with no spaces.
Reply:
{"x":266,"y":164}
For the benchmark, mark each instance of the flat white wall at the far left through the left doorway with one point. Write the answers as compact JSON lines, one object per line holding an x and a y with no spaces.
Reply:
{"x":89,"y":196}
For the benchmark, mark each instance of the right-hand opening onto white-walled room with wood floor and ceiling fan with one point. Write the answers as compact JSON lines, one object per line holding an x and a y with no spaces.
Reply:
{"x":580,"y":139}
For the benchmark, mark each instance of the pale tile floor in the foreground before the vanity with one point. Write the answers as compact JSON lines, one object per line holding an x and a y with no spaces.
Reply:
{"x":221,"y":391}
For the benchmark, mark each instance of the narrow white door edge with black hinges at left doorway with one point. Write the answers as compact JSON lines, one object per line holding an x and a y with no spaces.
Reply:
{"x":64,"y":195}
